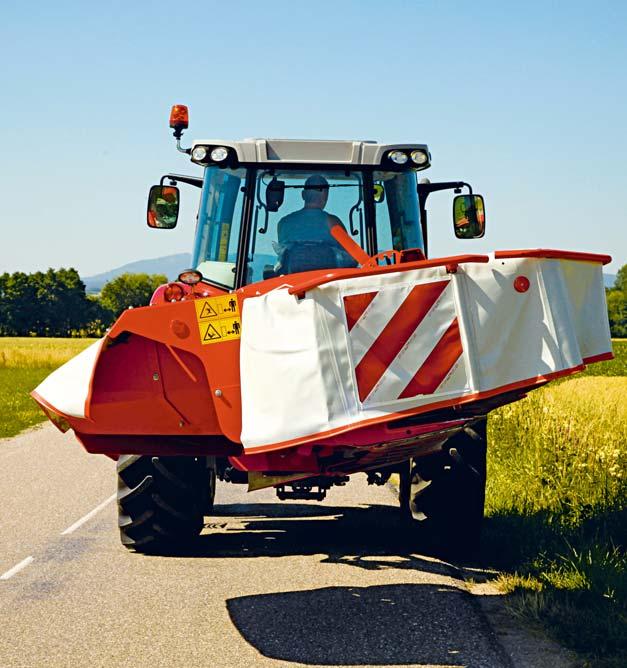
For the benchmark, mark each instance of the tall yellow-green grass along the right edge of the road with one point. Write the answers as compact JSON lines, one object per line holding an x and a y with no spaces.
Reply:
{"x":557,"y":509}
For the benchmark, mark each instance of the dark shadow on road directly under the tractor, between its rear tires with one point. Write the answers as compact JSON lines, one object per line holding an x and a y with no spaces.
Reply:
{"x":371,"y":537}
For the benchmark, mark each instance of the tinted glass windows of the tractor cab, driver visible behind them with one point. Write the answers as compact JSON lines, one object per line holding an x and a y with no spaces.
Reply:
{"x":291,"y":219}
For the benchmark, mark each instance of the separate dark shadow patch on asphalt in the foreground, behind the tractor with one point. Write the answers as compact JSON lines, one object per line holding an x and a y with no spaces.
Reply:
{"x":415,"y":624}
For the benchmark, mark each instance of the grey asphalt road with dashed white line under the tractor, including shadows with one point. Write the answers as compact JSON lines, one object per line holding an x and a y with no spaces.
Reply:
{"x":270,"y":584}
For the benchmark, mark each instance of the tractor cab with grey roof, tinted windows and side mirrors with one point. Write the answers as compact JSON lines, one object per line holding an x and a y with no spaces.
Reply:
{"x":273,"y":207}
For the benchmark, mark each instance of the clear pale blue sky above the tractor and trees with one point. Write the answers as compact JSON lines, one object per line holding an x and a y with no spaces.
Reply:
{"x":527,"y":101}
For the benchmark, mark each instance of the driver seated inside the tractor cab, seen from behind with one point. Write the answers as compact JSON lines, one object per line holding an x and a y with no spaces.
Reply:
{"x":313,"y":224}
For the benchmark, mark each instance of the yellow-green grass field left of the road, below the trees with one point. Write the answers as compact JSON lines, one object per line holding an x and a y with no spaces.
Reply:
{"x":24,"y":363}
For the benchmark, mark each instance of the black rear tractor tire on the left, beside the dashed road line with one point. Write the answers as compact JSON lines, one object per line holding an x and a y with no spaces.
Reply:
{"x":162,"y":501}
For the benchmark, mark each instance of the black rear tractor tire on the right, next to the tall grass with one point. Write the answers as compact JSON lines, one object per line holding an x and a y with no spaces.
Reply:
{"x":442,"y":496}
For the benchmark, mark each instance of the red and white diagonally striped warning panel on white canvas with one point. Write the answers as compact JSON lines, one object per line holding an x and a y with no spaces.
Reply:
{"x":404,"y":340}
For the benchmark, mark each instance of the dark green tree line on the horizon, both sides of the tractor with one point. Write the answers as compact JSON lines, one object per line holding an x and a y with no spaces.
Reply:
{"x":54,"y":303}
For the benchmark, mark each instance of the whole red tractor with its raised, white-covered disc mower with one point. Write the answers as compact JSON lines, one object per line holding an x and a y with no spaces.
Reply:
{"x":315,"y":337}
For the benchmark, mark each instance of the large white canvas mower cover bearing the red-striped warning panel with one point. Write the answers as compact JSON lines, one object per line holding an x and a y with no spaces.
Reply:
{"x":354,"y":350}
